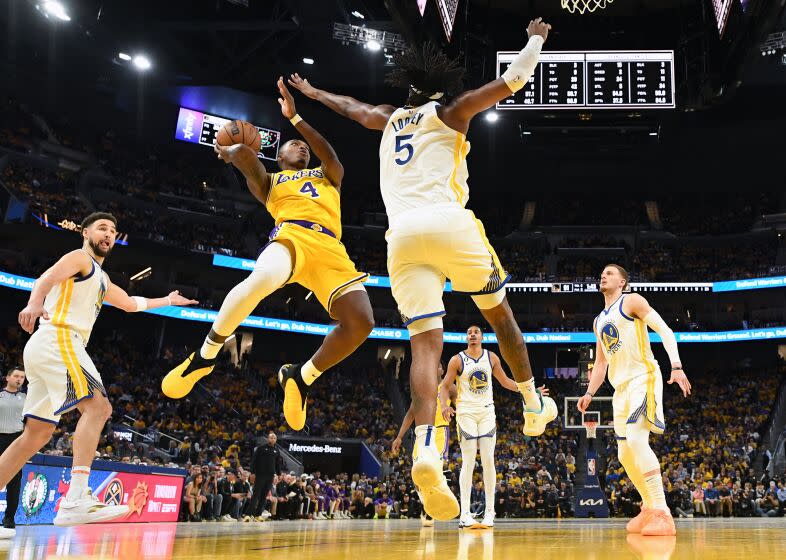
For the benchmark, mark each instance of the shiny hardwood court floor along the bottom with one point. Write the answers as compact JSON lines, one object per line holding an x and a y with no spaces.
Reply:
{"x":754,"y":539}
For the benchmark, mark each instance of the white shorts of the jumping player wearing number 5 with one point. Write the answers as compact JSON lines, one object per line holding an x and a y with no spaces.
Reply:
{"x":429,"y":244}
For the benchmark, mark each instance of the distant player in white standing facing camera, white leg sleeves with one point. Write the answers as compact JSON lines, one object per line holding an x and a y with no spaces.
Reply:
{"x":476,"y":421}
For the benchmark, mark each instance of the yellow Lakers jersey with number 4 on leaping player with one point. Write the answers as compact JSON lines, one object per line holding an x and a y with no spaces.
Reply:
{"x":304,"y":194}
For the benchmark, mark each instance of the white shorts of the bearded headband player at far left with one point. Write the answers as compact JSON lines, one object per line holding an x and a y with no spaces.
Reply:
{"x":60,"y":373}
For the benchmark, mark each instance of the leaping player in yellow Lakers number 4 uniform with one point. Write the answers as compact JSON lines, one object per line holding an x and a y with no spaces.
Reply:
{"x":304,"y":248}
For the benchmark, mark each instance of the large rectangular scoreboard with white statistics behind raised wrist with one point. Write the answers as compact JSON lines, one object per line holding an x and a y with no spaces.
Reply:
{"x":595,"y":80}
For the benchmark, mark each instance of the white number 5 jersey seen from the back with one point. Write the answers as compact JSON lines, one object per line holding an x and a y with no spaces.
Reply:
{"x":422,"y":161}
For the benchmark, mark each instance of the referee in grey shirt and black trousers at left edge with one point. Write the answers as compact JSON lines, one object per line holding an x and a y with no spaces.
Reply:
{"x":12,"y":401}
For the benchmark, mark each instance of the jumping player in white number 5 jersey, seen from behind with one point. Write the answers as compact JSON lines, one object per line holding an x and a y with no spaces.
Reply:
{"x":423,"y":179}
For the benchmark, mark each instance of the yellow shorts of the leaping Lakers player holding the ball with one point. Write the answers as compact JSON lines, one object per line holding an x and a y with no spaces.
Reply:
{"x":322,"y":264}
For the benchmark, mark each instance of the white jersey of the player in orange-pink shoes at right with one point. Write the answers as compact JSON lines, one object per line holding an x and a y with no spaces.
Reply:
{"x":626,"y":345}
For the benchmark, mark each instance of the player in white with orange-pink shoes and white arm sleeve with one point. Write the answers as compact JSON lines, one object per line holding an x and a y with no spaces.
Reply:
{"x":624,"y":348}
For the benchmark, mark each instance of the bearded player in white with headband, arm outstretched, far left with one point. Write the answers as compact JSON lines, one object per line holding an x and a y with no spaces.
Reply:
{"x":67,"y":299}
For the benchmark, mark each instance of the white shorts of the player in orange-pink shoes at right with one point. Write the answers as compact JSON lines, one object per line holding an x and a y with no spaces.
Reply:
{"x":641,"y":397}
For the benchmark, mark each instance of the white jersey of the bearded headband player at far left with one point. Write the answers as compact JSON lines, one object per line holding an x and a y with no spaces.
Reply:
{"x":75,"y":303}
